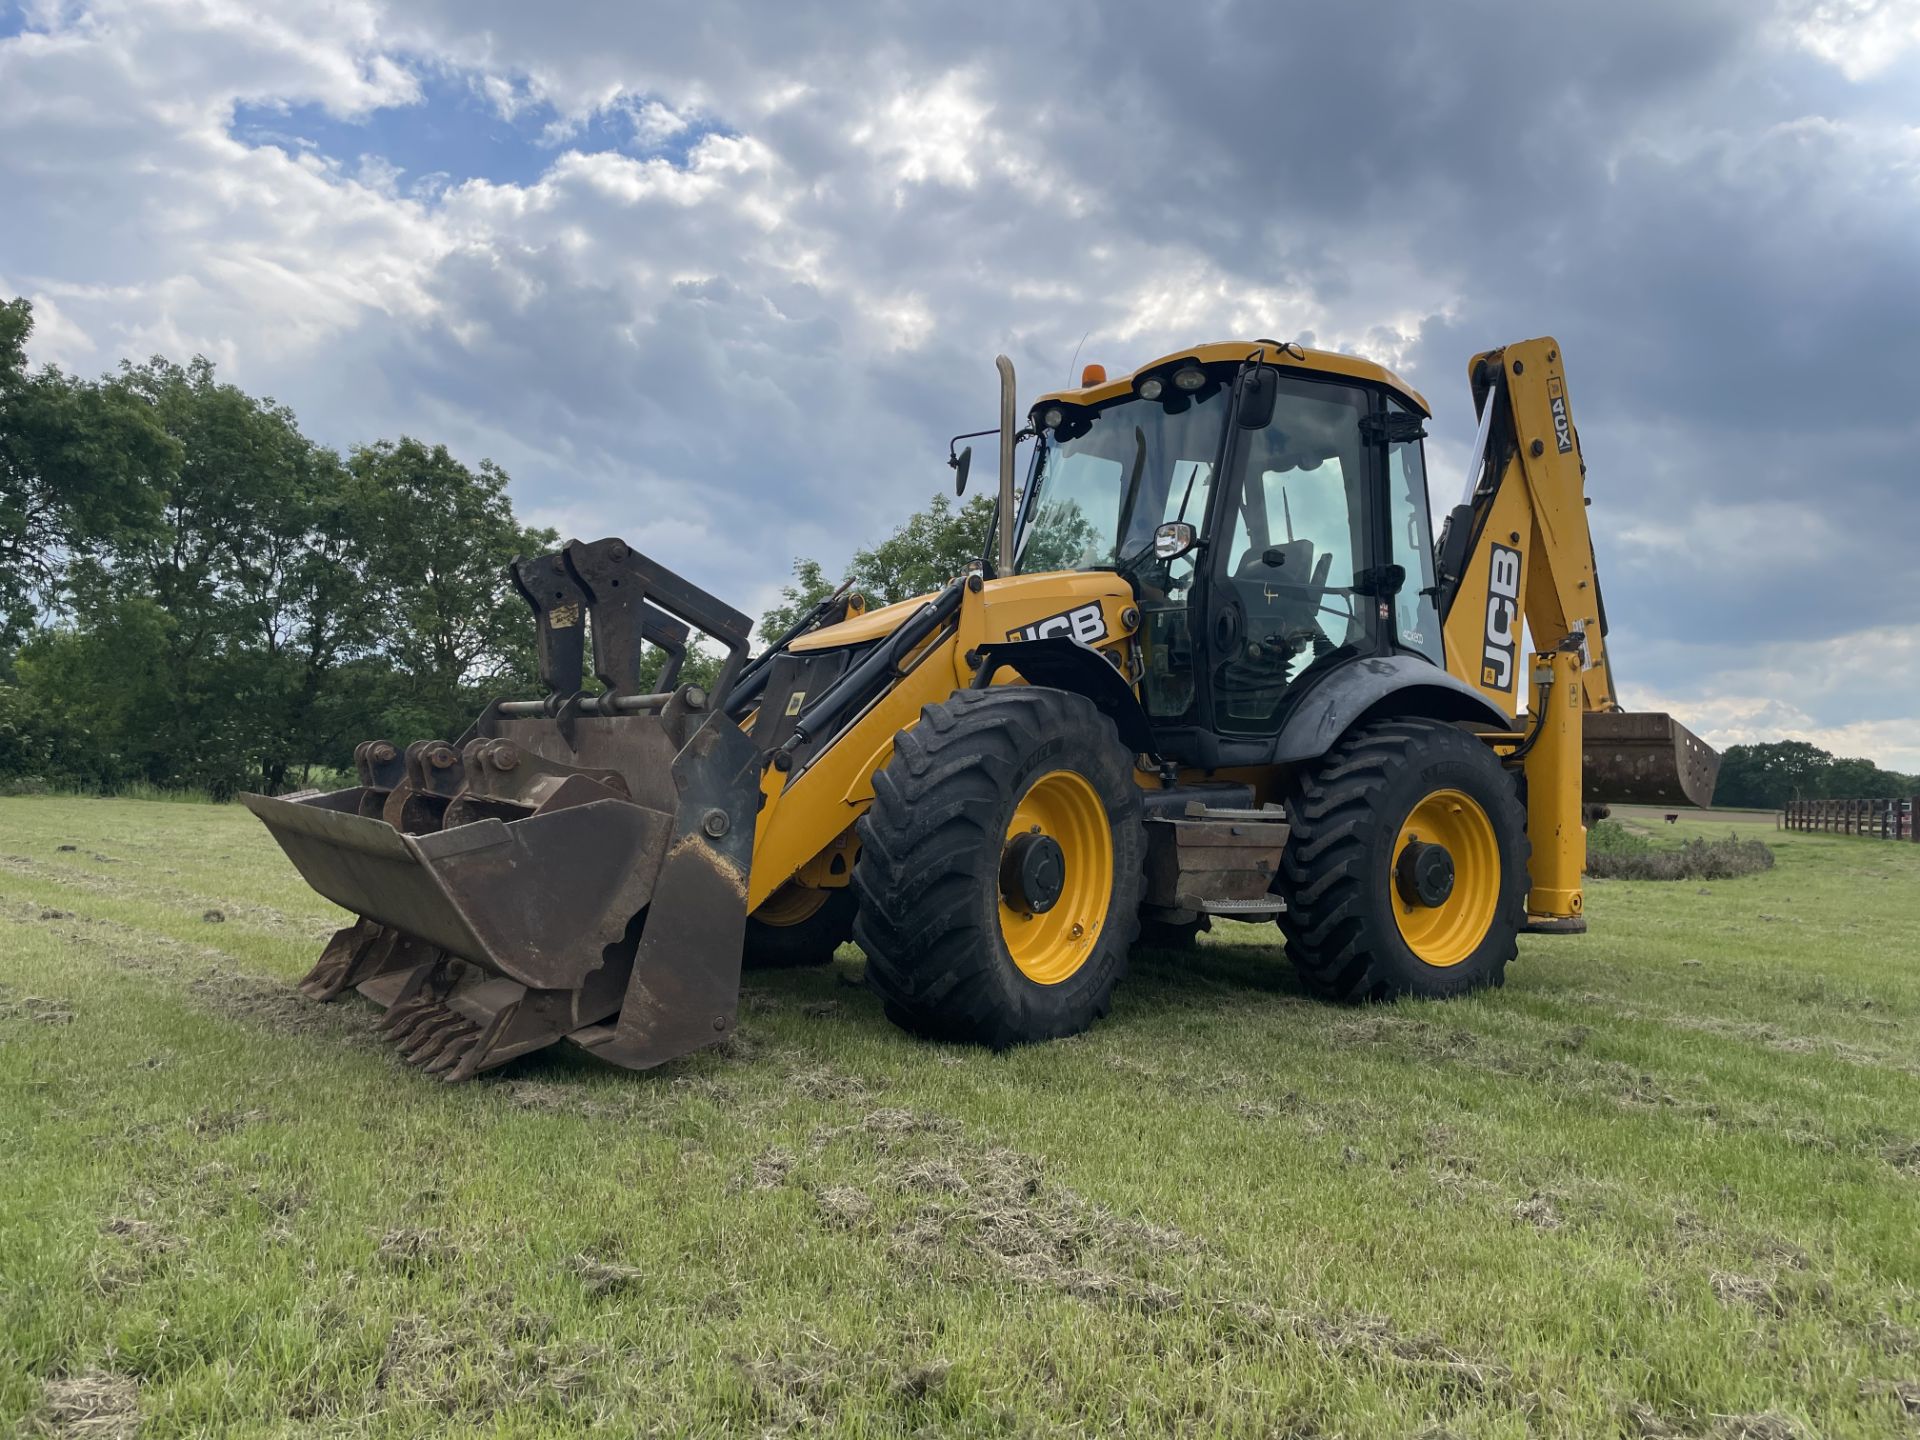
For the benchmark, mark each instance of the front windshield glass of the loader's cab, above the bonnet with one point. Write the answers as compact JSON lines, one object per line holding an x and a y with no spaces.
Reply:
{"x":1107,"y":479}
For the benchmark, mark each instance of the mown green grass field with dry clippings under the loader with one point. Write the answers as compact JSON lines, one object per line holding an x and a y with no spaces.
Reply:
{"x":1668,"y":1182}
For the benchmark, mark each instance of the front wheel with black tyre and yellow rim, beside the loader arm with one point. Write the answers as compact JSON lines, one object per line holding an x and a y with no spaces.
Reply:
{"x":955,"y":944}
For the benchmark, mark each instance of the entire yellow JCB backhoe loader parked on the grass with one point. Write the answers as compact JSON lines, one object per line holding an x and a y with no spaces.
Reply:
{"x":1211,"y":665}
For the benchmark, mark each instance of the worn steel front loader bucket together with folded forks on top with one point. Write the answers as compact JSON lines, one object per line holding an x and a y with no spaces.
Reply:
{"x":575,"y":867}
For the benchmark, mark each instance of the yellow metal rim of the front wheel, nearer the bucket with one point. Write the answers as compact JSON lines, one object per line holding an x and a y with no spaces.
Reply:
{"x":1053,"y":946}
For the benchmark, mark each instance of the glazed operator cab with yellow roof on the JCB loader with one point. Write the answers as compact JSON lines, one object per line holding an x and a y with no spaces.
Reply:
{"x":1303,"y":479}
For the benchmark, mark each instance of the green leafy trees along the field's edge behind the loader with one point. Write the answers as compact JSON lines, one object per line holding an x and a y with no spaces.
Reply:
{"x":195,"y":594}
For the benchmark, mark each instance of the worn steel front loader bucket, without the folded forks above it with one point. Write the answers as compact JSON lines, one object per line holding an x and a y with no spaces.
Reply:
{"x":558,"y":907}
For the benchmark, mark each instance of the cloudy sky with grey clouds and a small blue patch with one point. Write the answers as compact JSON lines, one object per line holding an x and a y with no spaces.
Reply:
{"x":721,"y":279}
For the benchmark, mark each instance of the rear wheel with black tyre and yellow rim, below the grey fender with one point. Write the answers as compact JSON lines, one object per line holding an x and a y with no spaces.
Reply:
{"x":1355,"y":930}
